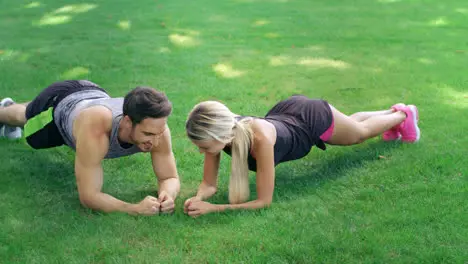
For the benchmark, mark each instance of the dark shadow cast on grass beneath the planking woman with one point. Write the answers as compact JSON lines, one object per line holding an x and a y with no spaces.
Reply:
{"x":303,"y":177}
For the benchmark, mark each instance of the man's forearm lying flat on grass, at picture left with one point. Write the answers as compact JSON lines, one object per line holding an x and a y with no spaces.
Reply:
{"x":107,"y":203}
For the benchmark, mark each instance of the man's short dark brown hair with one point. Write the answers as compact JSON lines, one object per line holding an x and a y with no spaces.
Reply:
{"x":146,"y":102}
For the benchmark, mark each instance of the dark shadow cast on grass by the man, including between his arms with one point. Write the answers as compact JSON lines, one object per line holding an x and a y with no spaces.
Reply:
{"x":42,"y":183}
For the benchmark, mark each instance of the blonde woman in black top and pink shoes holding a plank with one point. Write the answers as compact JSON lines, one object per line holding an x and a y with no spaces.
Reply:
{"x":287,"y":132}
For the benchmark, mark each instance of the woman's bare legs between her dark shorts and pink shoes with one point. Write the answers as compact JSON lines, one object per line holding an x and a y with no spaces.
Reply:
{"x":349,"y":131}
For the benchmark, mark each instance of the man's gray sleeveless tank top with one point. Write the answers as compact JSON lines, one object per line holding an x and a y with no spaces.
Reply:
{"x":71,"y":106}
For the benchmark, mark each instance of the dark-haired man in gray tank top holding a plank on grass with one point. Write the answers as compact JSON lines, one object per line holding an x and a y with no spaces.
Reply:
{"x":83,"y":116}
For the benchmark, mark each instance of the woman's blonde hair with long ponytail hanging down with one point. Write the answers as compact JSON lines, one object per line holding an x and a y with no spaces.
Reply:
{"x":211,"y":120}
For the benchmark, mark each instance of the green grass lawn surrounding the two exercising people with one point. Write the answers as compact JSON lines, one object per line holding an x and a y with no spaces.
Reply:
{"x":372,"y":203}
